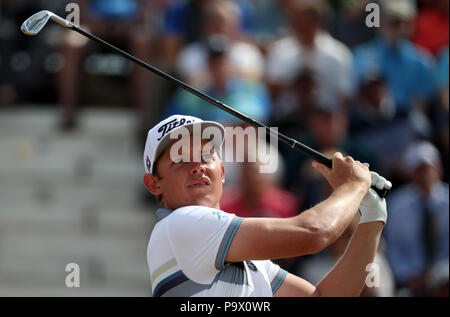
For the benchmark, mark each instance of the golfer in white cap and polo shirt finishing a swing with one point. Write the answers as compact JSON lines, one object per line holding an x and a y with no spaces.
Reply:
{"x":196,"y":249}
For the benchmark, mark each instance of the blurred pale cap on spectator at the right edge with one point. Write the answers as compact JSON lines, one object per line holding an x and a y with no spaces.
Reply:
{"x":420,"y":153}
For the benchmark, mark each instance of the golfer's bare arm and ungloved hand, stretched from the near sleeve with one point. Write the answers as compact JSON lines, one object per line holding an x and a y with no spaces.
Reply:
{"x":312,"y":230}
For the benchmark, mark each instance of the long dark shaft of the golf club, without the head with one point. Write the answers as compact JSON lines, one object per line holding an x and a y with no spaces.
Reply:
{"x":319,"y":157}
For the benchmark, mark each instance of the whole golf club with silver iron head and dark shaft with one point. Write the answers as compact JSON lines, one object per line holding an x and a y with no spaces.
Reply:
{"x":34,"y":24}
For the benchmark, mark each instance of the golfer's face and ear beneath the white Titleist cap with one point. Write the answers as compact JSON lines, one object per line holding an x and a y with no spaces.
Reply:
{"x":184,"y":182}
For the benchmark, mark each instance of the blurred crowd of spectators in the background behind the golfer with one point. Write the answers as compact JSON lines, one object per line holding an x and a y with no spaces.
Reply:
{"x":329,"y":73}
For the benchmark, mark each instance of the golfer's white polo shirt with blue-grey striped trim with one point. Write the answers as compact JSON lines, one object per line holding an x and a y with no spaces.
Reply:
{"x":186,"y":257}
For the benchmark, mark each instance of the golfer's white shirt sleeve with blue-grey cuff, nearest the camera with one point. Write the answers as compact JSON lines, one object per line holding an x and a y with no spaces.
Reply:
{"x":200,"y":238}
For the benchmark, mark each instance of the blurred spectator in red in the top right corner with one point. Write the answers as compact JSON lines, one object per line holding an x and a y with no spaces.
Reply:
{"x":431,"y":26}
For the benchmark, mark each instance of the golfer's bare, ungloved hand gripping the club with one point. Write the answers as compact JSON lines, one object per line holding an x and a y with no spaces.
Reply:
{"x":345,"y":170}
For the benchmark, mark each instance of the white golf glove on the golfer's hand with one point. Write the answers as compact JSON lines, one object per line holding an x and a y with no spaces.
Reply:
{"x":373,"y":207}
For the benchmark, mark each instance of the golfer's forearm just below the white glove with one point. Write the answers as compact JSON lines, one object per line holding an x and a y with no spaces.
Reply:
{"x":348,"y":276}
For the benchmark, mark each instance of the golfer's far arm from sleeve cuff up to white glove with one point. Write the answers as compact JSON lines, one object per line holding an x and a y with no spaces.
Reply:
{"x":348,"y":276}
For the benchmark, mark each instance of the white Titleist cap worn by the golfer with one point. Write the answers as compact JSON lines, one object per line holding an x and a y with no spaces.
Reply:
{"x":158,"y":137}
